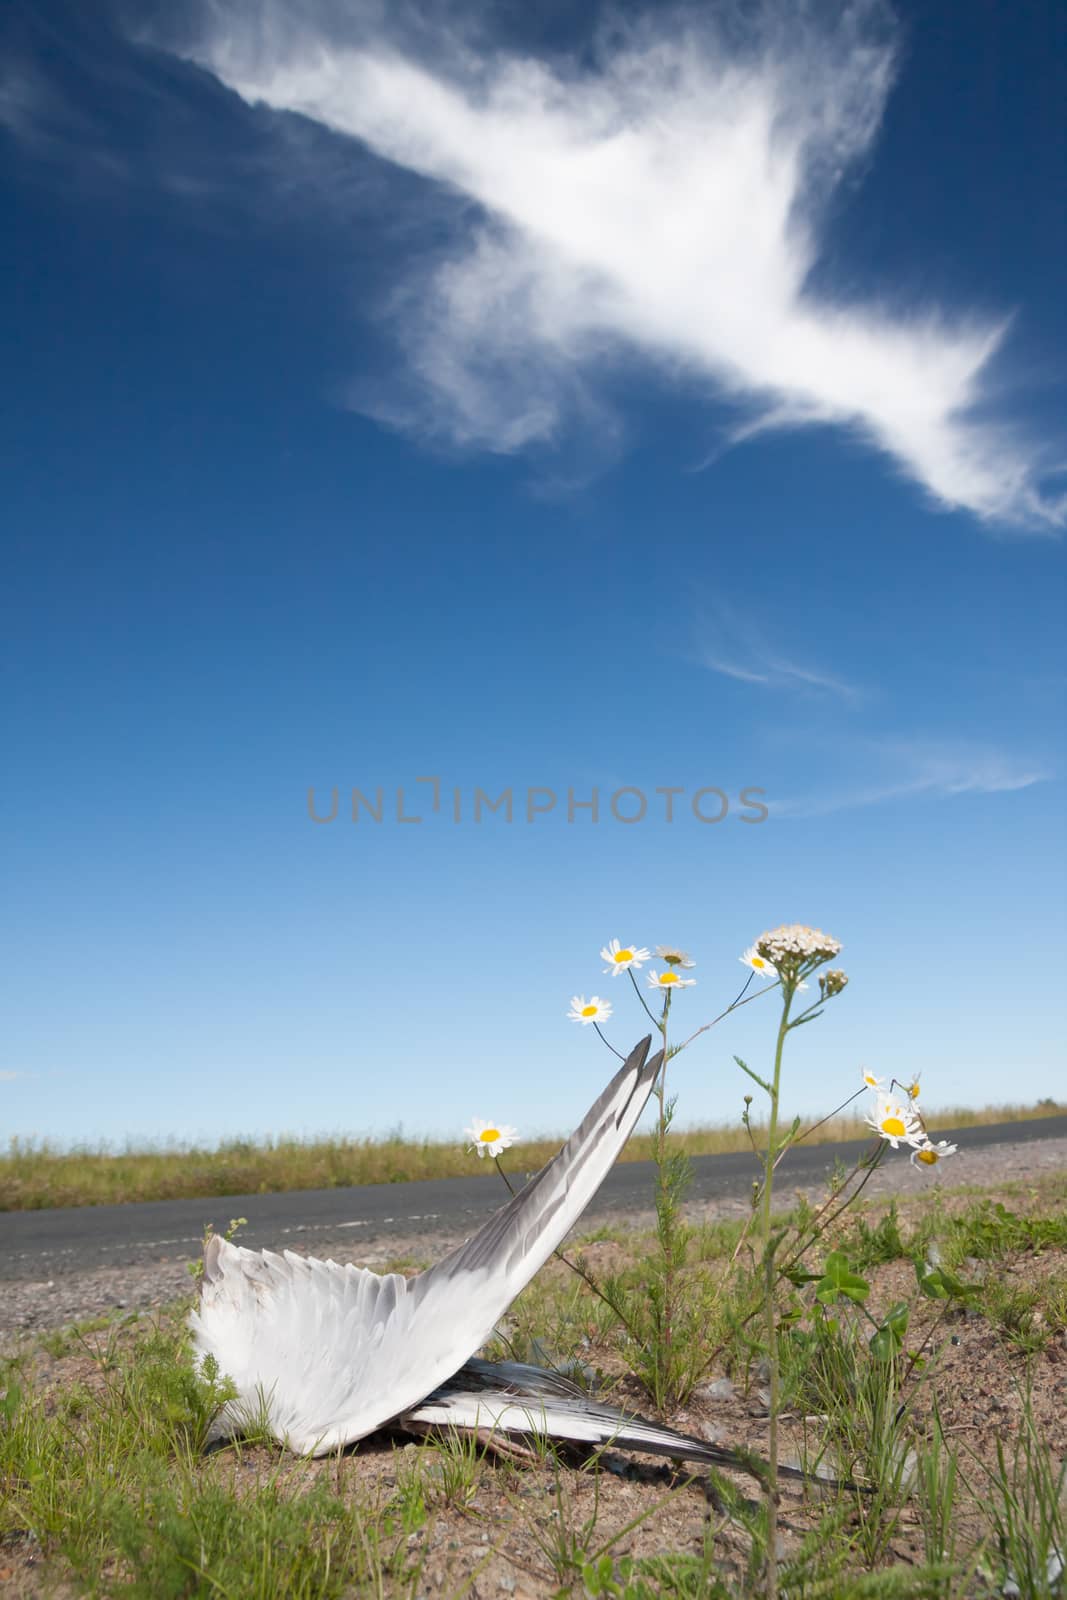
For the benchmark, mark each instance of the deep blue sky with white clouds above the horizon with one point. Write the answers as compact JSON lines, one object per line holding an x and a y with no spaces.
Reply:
{"x":565,"y":399}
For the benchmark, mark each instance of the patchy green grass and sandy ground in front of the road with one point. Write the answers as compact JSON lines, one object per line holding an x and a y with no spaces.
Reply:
{"x":959,"y":1439}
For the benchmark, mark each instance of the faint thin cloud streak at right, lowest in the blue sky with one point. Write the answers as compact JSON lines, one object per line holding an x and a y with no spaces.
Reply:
{"x":903,"y":770}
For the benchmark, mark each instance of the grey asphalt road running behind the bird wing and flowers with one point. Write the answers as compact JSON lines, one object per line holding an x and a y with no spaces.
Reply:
{"x":49,"y":1244}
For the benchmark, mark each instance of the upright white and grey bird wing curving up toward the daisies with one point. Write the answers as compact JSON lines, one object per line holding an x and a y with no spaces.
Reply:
{"x":326,"y":1354}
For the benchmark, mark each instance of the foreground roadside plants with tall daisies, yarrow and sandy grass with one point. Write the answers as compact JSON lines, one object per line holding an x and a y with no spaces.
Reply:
{"x":908,"y":1362}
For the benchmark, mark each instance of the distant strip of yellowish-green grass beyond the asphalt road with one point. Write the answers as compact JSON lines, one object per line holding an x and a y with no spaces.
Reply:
{"x":38,"y":1175}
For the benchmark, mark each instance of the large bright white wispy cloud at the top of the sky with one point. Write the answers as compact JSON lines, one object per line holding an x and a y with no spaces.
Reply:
{"x":665,"y":198}
